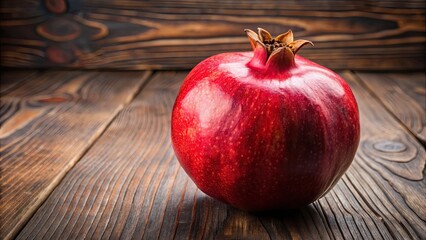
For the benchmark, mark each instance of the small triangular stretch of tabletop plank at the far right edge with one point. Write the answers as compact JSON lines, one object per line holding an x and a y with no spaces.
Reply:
{"x":404,"y":95}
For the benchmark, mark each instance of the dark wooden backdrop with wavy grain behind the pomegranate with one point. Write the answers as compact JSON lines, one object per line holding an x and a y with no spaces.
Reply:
{"x":163,"y":34}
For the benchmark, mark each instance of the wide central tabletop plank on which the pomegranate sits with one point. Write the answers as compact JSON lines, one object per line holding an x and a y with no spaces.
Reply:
{"x":129,"y":184}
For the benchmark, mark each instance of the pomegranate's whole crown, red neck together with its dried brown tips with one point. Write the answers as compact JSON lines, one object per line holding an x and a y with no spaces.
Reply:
{"x":278,"y":51}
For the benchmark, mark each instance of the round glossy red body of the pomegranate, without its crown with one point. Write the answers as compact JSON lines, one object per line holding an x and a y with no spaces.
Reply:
{"x":264,"y":140}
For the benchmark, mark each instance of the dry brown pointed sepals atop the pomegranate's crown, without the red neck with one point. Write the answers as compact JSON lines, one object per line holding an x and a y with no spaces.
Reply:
{"x":281,"y":43}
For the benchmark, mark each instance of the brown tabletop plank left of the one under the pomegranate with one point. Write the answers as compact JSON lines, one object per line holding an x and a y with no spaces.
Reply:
{"x":48,"y":121}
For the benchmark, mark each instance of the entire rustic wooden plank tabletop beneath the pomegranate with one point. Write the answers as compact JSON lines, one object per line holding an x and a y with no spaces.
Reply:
{"x":88,"y":155}
